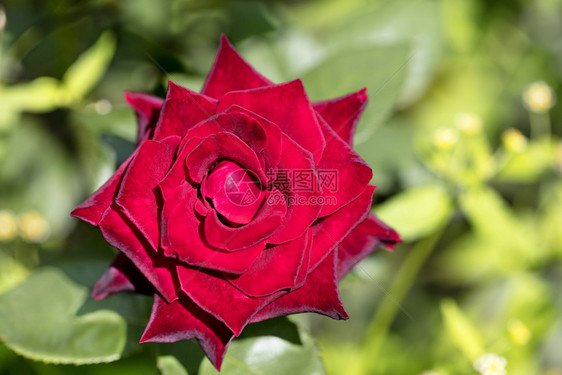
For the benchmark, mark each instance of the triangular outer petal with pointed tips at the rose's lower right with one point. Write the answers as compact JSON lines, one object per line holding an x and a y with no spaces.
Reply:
{"x":319,"y":294}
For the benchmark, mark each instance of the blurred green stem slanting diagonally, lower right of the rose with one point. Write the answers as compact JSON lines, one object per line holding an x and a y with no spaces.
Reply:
{"x":379,"y":326}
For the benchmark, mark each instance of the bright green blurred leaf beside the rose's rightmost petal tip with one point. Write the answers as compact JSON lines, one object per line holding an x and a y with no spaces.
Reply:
{"x":417,"y":212}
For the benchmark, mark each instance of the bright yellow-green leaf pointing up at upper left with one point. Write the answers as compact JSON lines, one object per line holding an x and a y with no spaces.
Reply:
{"x":88,"y":69}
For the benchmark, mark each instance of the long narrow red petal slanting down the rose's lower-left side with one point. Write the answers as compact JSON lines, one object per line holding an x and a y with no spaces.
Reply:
{"x":157,"y":269}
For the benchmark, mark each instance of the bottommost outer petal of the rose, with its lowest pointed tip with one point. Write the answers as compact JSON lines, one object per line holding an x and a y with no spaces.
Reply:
{"x":183,"y":320}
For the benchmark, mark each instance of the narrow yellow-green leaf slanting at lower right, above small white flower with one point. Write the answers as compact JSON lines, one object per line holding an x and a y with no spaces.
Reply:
{"x":461,"y":330}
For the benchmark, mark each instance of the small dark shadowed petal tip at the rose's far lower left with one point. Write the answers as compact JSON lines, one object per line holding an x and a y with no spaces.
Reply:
{"x":121,"y":276}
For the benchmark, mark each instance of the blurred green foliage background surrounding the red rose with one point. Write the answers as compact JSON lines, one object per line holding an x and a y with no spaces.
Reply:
{"x":462,"y":131}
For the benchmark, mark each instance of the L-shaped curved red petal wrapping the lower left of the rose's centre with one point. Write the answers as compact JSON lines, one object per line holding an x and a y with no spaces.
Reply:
{"x":182,"y":236}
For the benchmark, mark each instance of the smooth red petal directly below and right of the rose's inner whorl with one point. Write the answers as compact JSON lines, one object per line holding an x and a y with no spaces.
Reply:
{"x":277,"y":268}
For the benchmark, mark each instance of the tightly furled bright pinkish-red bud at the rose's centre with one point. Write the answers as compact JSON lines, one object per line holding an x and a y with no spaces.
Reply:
{"x":235,"y":193}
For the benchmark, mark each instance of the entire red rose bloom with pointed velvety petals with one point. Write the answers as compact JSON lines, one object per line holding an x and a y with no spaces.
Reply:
{"x":239,"y":204}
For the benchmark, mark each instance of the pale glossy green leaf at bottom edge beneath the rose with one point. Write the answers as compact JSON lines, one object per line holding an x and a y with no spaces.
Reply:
{"x":269,"y":355}
